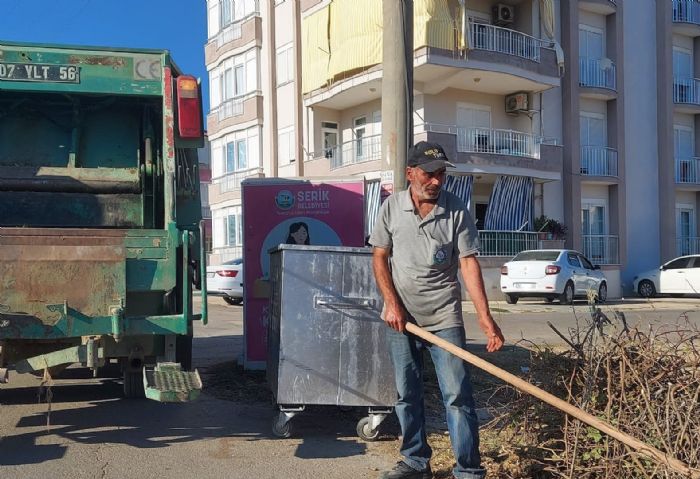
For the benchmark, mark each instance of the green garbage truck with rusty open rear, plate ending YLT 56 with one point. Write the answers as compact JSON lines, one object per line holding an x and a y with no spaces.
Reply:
{"x":101,"y":240}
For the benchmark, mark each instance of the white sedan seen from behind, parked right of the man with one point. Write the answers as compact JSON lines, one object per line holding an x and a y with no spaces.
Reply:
{"x":552,"y":274}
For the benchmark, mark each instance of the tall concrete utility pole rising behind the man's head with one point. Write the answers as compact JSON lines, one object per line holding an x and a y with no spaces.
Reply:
{"x":397,"y":92}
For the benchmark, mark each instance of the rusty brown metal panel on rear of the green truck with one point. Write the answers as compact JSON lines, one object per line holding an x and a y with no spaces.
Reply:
{"x":37,"y":281}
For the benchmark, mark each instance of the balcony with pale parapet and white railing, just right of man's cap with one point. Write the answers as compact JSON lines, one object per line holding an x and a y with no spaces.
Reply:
{"x":496,"y":151}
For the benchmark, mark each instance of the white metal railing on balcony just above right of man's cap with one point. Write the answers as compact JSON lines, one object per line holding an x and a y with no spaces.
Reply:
{"x":504,"y":142}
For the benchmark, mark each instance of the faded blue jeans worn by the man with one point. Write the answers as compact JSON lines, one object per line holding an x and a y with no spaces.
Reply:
{"x":455,"y":386}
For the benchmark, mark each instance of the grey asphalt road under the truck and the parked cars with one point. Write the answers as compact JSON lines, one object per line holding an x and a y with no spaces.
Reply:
{"x":94,"y":433}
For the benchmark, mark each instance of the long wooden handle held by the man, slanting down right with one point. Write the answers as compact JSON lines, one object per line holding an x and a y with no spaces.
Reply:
{"x":552,"y":400}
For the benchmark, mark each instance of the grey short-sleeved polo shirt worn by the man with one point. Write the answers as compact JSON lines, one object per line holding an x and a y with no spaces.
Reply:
{"x":425,"y":255}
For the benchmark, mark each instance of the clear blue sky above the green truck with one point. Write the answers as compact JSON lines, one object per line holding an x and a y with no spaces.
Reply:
{"x":176,"y":25}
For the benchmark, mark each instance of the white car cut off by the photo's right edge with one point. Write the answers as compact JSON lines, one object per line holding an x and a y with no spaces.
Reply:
{"x":679,"y":276}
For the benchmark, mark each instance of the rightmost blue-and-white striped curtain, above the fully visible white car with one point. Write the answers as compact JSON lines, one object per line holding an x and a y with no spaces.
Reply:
{"x":510,"y":206}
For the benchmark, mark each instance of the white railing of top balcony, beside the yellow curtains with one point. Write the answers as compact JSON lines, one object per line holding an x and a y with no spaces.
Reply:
{"x":504,"y":40}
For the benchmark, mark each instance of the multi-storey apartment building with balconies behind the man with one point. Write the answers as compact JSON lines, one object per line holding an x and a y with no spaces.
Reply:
{"x":547,"y":107}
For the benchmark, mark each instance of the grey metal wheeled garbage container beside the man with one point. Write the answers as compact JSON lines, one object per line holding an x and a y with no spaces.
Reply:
{"x":326,"y":340}
